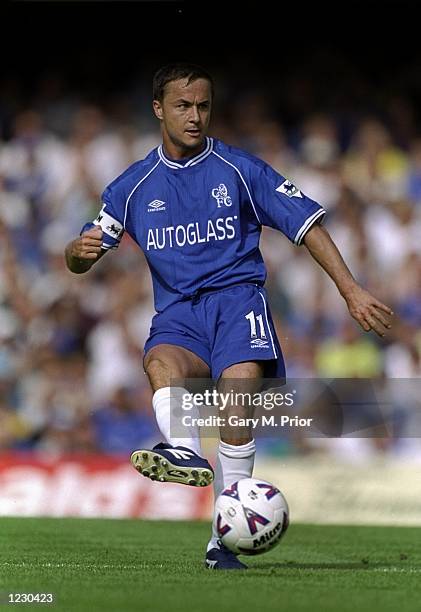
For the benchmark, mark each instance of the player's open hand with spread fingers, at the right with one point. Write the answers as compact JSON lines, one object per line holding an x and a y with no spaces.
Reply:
{"x":368,"y":311}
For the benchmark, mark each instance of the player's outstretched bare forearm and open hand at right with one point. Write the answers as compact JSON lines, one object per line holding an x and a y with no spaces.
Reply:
{"x":363,"y":307}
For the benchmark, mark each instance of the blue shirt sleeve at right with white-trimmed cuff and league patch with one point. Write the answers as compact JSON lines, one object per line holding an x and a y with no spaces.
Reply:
{"x":281,"y":205}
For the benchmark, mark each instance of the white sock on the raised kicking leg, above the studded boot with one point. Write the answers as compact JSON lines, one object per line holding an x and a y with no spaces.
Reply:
{"x":168,"y":400}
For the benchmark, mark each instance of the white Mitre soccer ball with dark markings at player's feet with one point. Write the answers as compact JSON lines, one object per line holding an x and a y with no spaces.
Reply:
{"x":251,"y":516}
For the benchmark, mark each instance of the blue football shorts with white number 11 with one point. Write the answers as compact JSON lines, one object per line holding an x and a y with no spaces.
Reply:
{"x":222,"y":327}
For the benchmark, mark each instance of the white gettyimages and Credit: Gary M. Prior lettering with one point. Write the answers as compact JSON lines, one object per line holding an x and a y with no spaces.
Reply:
{"x":226,"y":401}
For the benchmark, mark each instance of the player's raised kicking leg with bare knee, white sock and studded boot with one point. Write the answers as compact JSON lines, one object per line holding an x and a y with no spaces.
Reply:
{"x":177,"y":459}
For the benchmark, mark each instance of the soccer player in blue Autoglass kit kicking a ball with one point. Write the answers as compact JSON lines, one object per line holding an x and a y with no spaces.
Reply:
{"x":195,"y":206}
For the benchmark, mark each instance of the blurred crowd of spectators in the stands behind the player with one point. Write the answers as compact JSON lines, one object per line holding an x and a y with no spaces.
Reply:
{"x":71,"y":378}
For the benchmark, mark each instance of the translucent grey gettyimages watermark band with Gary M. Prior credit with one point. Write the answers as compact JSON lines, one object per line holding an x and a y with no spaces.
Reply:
{"x":351,"y":407}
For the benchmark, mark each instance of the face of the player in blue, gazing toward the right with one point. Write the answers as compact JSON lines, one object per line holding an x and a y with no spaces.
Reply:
{"x":184,"y":114}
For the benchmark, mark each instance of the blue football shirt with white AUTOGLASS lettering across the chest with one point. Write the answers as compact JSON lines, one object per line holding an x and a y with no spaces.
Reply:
{"x":199,"y":222}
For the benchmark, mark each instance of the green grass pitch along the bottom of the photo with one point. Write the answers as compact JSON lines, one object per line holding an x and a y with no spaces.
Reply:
{"x":148,"y":566}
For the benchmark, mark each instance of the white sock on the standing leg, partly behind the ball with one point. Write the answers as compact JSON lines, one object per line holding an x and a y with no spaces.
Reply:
{"x":233,"y":463}
